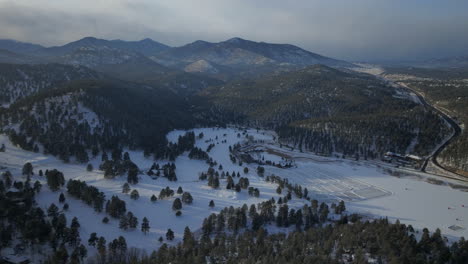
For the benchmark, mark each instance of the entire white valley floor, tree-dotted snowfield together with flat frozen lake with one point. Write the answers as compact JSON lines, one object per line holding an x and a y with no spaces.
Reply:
{"x":364,"y":187}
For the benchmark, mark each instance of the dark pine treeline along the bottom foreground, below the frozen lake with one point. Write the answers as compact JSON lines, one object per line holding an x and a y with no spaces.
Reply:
{"x":235,"y":236}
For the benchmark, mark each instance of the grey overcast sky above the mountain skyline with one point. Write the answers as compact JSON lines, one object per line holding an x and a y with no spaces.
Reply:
{"x":345,"y":29}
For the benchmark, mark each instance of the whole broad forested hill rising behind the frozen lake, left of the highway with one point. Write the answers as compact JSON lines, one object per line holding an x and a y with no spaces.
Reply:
{"x":327,"y":110}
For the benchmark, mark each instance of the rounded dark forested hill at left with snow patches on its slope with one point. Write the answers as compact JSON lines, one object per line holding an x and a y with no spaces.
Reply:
{"x":98,"y":115}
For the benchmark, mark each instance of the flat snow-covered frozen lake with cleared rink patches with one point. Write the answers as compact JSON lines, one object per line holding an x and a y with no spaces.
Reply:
{"x":368,"y":190}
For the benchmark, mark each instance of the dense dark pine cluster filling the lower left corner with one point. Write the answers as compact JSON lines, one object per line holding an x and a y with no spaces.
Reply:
{"x":25,"y":225}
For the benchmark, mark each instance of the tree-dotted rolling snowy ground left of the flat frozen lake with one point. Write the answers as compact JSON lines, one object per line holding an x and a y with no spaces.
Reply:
{"x":160,"y":214}
